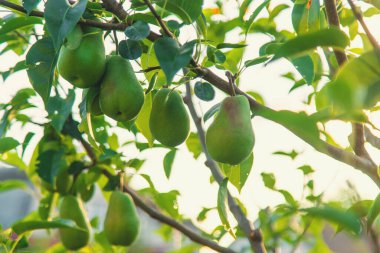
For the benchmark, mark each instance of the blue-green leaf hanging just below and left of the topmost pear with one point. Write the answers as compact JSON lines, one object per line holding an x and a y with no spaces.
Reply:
{"x":59,"y":109}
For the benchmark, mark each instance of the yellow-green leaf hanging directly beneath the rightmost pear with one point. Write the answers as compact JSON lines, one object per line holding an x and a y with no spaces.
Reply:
{"x":238,"y":174}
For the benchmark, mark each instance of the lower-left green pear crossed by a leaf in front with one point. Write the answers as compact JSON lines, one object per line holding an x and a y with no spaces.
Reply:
{"x":72,"y":209}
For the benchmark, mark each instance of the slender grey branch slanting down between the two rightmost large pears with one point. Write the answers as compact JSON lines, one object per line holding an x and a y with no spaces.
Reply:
{"x":254,"y":236}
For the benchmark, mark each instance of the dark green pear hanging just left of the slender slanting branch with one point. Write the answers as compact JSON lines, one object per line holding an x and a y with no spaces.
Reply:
{"x":169,"y":121}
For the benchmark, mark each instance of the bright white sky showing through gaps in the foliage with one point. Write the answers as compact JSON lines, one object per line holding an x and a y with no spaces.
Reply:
{"x":191,"y":177}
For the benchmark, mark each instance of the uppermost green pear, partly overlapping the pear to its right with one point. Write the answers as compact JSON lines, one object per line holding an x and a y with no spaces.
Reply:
{"x":82,"y":58}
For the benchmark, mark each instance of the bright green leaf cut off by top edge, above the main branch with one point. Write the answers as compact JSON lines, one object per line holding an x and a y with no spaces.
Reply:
{"x":188,"y":11}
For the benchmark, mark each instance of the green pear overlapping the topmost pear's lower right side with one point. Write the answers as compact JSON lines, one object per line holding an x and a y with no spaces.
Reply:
{"x":121,"y":95}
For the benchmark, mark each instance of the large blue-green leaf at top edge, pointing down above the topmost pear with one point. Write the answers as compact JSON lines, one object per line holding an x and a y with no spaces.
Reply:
{"x":61,"y":18}
